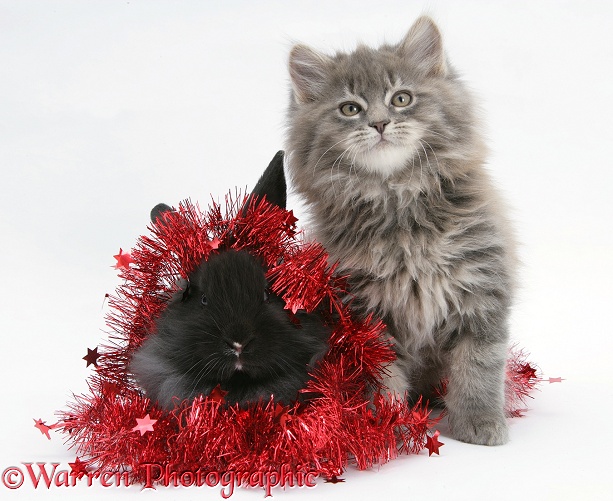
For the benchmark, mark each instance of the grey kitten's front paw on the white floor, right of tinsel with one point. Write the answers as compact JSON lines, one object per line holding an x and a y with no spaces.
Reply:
{"x":480,"y":430}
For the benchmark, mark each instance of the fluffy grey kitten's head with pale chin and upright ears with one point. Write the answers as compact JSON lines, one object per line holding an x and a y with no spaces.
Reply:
{"x":378,"y":112}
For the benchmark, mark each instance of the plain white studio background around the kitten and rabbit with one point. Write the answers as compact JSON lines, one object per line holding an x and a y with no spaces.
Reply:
{"x":108,"y":107}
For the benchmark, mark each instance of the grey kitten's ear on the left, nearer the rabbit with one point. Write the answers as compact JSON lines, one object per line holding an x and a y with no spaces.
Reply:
{"x":308,"y":69}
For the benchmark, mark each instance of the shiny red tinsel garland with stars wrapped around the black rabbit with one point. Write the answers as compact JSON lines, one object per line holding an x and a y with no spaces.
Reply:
{"x":114,"y":427}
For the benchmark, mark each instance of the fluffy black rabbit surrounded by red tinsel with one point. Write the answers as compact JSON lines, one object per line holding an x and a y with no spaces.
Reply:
{"x":224,"y":327}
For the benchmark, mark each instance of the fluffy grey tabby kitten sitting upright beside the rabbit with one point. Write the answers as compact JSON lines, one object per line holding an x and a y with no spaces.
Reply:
{"x":384,"y":146}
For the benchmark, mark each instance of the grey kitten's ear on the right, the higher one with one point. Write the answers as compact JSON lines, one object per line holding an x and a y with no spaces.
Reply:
{"x":423,"y":47}
